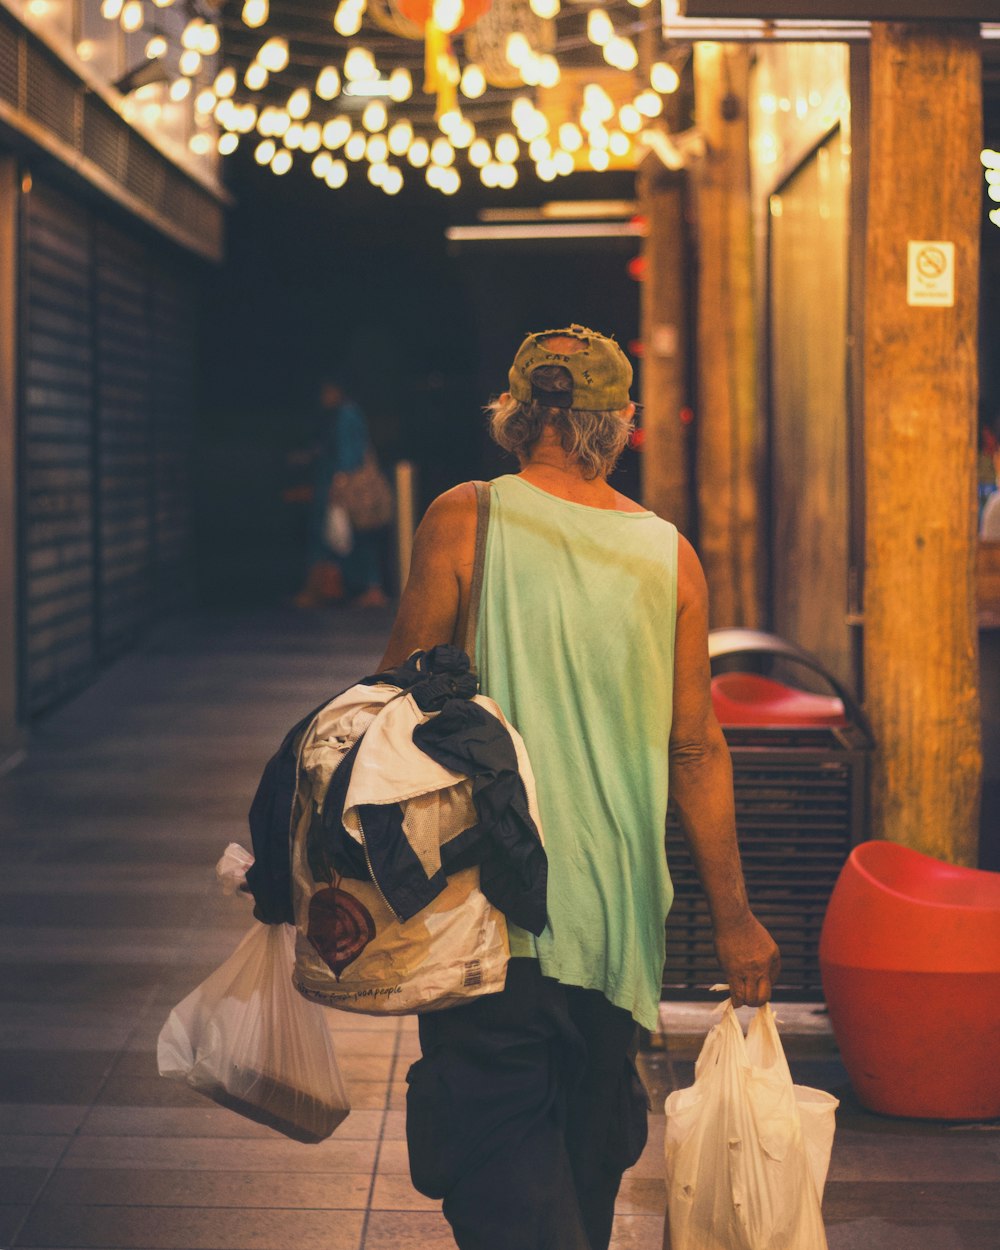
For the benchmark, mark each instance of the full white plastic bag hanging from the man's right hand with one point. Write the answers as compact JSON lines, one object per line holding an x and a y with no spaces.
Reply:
{"x":747,"y":1151}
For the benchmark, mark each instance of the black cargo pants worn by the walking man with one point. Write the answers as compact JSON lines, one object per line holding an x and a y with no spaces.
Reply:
{"x":523,"y":1114}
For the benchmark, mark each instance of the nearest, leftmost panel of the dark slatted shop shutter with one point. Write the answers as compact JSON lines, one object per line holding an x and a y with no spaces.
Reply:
{"x":58,"y":569}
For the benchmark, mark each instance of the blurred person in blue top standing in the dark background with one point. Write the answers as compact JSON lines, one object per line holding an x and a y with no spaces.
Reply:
{"x":342,"y":441}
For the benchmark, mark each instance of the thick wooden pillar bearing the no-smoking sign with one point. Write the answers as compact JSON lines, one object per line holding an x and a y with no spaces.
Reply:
{"x":921,"y":428}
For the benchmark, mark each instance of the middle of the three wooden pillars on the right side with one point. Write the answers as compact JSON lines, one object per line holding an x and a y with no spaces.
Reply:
{"x":726,"y":422}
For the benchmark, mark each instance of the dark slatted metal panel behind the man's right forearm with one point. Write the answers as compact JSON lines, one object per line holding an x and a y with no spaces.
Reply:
{"x":799,"y":811}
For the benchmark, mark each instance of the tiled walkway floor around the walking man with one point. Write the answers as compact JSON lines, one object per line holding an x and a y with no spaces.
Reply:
{"x":109,"y":916}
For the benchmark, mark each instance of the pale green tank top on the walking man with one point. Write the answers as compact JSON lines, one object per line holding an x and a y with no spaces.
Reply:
{"x":576,"y":643}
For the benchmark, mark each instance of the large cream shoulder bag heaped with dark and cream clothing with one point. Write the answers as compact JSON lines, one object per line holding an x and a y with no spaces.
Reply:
{"x":397,"y":827}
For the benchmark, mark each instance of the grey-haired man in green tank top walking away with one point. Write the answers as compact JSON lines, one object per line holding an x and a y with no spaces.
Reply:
{"x":527,"y":1108}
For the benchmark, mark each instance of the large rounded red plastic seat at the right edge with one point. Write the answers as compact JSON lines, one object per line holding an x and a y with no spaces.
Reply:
{"x":911,"y":962}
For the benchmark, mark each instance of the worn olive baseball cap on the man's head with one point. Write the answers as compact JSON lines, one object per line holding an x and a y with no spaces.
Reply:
{"x":601,"y":371}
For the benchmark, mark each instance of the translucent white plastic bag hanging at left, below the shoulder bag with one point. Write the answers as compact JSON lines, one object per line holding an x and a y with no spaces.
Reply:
{"x":248,"y":1039}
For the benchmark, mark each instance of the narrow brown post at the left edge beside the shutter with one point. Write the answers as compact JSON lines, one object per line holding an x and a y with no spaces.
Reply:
{"x":9,"y":199}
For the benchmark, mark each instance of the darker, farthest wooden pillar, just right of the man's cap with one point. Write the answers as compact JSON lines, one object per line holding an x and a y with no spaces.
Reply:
{"x":664,"y":311}
